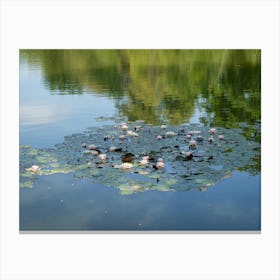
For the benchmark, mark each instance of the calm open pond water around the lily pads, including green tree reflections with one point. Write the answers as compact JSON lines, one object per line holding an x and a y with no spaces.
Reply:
{"x":65,"y":92}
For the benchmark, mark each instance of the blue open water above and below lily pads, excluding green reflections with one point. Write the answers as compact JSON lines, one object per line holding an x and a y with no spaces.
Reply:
{"x":61,"y":202}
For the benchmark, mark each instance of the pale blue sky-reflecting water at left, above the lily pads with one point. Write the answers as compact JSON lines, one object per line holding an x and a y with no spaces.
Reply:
{"x":45,"y":118}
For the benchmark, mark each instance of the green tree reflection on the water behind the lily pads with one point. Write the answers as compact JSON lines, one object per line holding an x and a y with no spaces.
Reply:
{"x":160,"y":85}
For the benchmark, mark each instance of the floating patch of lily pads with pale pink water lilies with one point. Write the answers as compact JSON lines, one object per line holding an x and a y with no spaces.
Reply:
{"x":183,"y":159}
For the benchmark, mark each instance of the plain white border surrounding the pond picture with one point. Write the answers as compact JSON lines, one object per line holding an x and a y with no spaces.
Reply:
{"x":135,"y":24}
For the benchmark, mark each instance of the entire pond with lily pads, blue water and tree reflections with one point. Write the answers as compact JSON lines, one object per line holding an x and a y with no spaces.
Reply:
{"x":140,"y":140}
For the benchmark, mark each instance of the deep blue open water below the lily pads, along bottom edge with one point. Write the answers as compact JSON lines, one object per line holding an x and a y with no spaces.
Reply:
{"x":60,"y":202}
